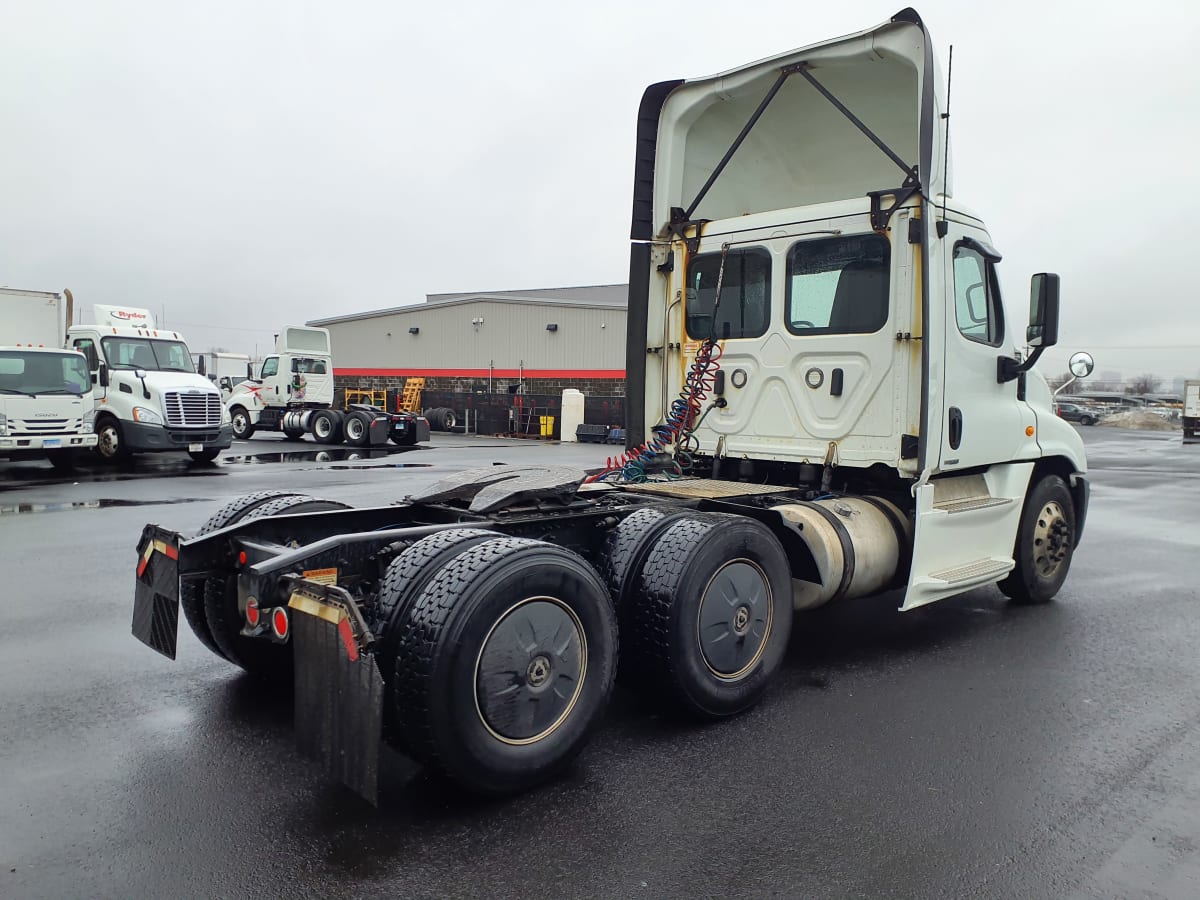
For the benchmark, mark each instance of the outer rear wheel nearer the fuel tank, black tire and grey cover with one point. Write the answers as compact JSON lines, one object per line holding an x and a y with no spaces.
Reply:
{"x":669,"y":611}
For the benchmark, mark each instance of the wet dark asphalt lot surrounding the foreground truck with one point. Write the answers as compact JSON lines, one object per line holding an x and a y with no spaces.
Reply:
{"x":967,"y":749}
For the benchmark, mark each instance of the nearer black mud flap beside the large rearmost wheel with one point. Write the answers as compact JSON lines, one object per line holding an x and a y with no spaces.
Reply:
{"x":339,"y":694}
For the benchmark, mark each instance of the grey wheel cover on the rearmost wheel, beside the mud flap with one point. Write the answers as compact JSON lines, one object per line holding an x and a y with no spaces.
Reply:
{"x":530,"y":671}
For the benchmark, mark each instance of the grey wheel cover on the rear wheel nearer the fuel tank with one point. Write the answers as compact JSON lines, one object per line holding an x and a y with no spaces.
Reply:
{"x":735,"y":619}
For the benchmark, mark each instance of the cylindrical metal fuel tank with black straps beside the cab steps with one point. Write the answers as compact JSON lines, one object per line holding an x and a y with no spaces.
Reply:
{"x":857,"y":544}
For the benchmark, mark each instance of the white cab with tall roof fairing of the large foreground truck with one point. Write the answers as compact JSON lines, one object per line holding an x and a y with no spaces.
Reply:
{"x":812,"y":304}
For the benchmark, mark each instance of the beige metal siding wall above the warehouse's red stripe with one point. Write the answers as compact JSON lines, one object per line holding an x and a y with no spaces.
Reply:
{"x":511,"y":333}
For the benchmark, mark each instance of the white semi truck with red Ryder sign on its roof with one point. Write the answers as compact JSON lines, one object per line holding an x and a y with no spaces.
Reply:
{"x":149,"y":398}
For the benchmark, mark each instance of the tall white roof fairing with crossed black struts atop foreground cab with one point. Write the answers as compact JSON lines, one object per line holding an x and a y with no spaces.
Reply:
{"x":886,"y":77}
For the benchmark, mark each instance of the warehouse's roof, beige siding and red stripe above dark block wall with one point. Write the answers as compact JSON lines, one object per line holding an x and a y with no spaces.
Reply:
{"x":496,"y":343}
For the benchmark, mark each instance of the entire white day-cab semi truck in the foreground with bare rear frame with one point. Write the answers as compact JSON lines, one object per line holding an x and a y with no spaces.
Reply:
{"x":826,"y":403}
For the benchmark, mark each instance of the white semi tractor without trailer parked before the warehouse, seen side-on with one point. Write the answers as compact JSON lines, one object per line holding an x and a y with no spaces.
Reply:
{"x":295,"y":394}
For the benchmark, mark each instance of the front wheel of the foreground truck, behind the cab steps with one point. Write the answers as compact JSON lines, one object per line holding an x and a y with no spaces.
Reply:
{"x":1046,"y":544}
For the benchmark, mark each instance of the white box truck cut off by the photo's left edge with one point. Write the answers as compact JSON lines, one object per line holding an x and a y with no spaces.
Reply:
{"x":46,"y":394}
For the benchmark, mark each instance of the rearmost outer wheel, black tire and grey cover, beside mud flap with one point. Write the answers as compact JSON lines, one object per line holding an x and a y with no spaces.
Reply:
{"x":459,"y":705}
